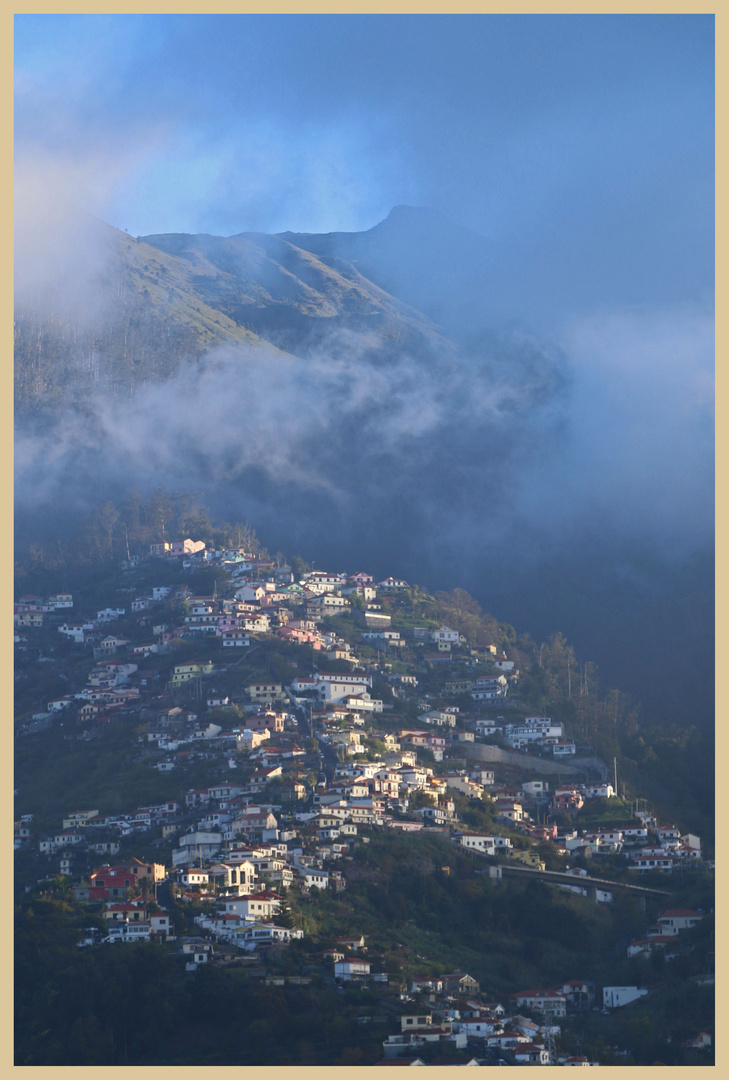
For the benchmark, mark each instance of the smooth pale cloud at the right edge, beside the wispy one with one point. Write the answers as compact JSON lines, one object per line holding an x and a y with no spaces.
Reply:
{"x":639,"y":461}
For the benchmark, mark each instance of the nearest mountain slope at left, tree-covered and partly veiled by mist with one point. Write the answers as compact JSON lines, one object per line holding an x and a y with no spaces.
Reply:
{"x":118,"y":314}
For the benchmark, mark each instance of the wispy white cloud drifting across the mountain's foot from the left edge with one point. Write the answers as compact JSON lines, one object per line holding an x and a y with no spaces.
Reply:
{"x":333,"y":425}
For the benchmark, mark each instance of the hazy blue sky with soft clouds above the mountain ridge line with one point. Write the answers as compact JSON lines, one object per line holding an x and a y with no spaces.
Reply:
{"x":583,"y":141}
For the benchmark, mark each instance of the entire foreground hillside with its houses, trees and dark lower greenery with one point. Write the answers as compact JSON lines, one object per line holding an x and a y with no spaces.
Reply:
{"x":206,"y":708}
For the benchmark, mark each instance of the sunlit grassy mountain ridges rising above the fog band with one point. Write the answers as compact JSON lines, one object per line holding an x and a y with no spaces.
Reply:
{"x":120,"y":312}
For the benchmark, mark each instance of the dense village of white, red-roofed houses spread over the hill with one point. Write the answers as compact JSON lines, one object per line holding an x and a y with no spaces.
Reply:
{"x":326,"y":712}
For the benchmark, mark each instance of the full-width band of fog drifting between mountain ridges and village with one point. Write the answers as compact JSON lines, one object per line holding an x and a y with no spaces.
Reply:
{"x":514,"y":445}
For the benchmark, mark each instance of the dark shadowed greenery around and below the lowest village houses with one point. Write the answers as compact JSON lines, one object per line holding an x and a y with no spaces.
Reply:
{"x":423,"y":912}
